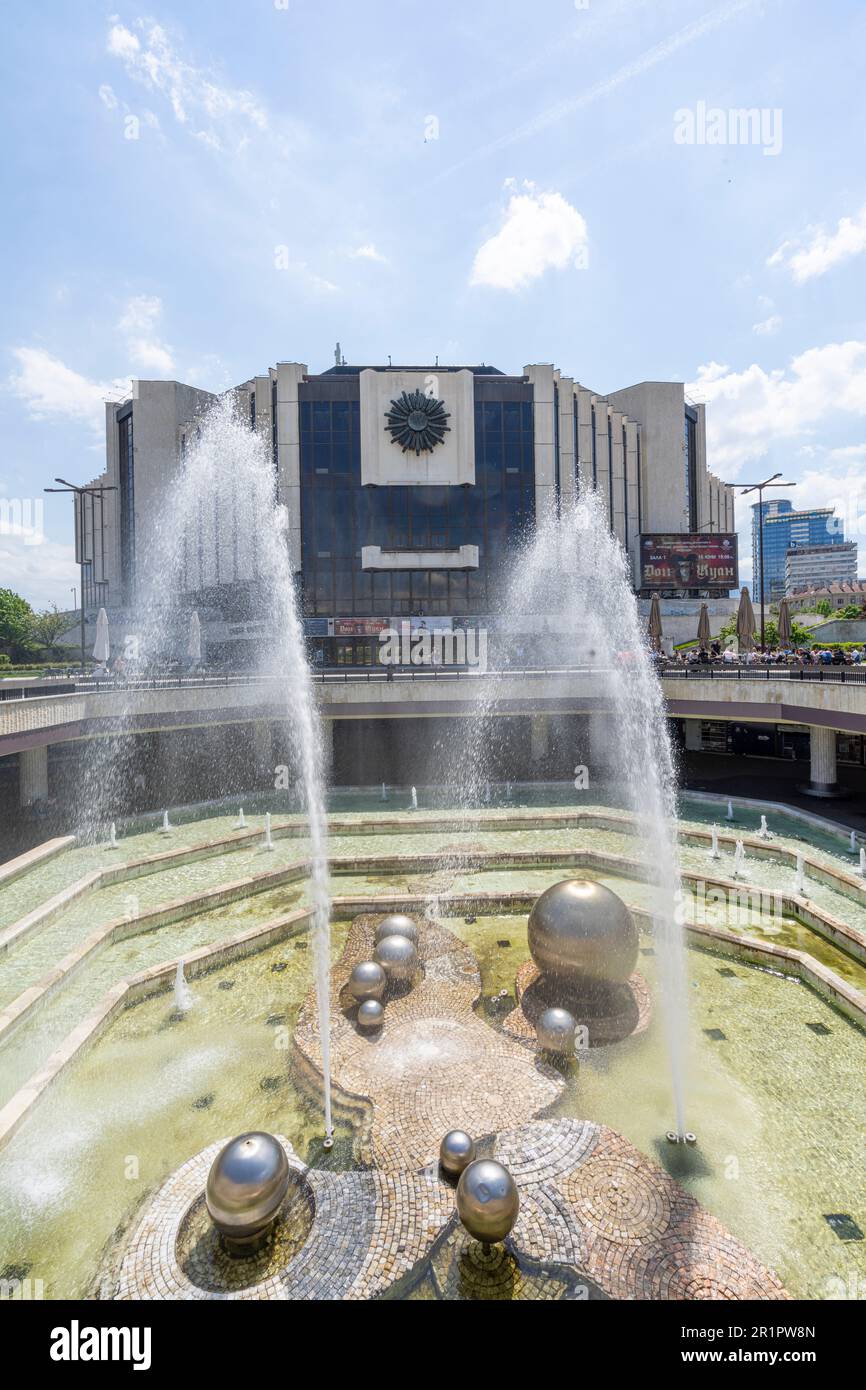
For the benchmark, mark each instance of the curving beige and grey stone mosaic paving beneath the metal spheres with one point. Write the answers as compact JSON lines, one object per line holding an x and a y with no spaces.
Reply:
{"x":597,"y":1220}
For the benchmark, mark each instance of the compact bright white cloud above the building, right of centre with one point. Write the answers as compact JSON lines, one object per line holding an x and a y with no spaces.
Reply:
{"x":540,"y":231}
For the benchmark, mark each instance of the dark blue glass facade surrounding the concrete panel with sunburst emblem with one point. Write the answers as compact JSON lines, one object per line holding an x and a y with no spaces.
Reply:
{"x":340,"y":516}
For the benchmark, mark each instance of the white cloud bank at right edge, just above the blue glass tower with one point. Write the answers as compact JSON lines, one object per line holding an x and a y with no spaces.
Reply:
{"x":749,"y":411}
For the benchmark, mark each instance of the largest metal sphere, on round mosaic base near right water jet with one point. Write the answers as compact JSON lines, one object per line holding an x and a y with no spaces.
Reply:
{"x":582,"y":932}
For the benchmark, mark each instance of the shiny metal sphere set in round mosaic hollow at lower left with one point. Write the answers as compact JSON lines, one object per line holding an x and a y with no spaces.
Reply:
{"x":247,"y":1185}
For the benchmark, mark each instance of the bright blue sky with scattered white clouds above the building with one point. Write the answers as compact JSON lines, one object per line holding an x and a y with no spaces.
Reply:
{"x":199,"y":191}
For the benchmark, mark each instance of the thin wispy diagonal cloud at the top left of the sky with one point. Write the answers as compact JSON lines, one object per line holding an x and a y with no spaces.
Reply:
{"x":218,"y":115}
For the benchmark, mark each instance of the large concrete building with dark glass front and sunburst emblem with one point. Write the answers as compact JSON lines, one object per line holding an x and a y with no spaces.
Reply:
{"x":405,"y":486}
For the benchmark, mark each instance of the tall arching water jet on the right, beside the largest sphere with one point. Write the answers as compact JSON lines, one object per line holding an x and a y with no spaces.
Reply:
{"x":569,"y":597}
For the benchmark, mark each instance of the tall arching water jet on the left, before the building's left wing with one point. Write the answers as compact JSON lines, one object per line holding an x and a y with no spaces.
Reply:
{"x":223,"y":530}
